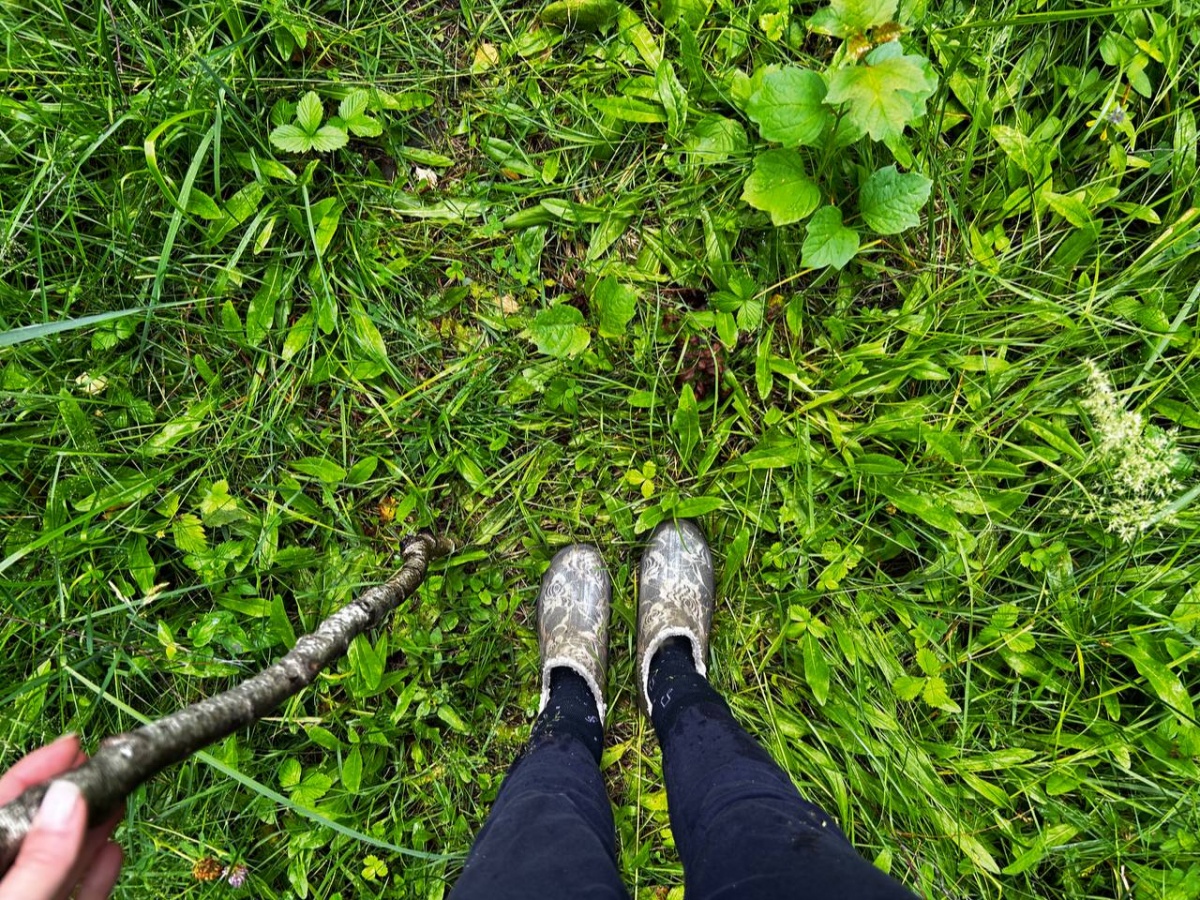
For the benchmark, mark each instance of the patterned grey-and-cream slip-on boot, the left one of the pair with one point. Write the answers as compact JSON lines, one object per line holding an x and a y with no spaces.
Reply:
{"x":573,"y":619}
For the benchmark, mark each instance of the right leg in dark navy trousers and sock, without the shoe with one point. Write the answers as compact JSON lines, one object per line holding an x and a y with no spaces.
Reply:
{"x":742,"y":829}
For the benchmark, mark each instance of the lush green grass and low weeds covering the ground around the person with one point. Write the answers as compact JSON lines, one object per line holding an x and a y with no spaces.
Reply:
{"x":920,"y":616}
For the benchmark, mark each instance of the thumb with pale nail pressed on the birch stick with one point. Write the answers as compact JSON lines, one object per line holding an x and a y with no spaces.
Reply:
{"x":50,"y":850}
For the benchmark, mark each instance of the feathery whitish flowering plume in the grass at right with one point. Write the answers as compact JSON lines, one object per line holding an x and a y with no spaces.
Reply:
{"x":1141,"y":461}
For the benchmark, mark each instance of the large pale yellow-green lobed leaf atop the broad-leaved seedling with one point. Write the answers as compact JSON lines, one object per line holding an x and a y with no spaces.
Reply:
{"x":885,"y":95}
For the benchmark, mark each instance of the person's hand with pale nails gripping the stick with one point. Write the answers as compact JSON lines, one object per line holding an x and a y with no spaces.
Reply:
{"x":61,"y":857}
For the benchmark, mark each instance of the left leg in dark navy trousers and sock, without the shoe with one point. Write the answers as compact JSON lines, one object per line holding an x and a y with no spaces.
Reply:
{"x":550,"y":833}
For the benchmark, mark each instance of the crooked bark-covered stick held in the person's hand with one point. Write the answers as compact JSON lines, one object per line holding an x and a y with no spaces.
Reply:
{"x":127,"y":761}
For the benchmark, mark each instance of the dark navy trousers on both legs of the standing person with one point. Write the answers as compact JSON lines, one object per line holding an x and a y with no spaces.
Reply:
{"x":741,"y":827}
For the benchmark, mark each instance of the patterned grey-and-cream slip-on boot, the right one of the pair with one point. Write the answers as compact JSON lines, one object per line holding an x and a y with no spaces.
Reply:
{"x":676,"y":597}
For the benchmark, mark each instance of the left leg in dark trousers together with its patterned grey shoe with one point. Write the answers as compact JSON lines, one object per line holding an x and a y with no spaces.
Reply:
{"x":550,"y":835}
